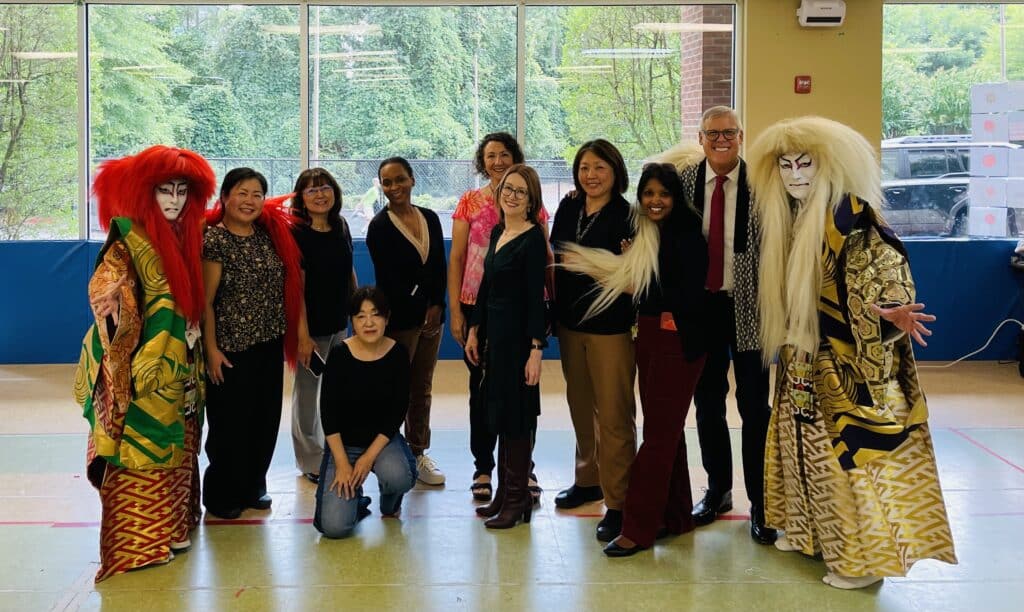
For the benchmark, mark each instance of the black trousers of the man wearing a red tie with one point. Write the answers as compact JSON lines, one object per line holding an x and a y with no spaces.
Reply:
{"x":752,"y":400}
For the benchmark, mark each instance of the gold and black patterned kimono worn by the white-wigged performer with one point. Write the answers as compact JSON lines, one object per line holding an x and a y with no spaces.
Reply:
{"x":849,"y":468}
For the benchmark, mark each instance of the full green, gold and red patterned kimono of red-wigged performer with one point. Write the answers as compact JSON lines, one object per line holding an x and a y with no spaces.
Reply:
{"x":141,"y":385}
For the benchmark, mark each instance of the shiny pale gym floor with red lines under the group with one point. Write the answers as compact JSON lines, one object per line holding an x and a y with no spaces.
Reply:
{"x":439,"y":556}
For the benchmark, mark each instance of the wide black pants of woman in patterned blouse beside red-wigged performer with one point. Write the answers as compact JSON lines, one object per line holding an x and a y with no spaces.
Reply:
{"x":244,"y":416}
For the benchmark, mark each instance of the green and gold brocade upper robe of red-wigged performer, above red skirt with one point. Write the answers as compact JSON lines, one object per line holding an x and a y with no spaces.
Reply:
{"x":139,"y":383}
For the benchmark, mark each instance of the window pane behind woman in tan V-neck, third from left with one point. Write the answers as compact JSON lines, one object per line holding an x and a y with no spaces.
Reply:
{"x":425,"y":83}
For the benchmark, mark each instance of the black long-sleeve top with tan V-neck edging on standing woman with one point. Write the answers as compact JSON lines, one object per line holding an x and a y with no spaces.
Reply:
{"x":411,"y":285}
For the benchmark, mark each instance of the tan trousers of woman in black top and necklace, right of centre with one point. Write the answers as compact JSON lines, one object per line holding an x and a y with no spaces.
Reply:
{"x":600,"y":374}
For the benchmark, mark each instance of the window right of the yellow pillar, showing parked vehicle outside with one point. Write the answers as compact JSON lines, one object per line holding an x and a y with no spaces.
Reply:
{"x":954,"y":119}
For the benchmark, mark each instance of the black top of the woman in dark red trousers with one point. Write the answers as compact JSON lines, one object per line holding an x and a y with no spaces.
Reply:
{"x":682,"y":267}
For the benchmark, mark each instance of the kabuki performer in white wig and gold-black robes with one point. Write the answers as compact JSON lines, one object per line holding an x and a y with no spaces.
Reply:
{"x":849,"y":470}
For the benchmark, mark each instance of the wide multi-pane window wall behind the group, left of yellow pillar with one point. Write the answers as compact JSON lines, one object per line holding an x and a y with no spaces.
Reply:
{"x":283,"y":86}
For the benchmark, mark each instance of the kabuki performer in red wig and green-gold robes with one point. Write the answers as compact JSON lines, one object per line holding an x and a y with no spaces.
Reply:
{"x":140,"y":379}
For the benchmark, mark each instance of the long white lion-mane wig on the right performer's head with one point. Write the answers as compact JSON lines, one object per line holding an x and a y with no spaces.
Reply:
{"x":793,"y":234}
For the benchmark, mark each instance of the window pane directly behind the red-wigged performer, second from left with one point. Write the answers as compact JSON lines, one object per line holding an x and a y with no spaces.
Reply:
{"x":223,"y":81}
